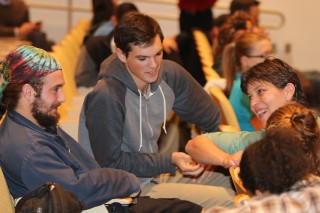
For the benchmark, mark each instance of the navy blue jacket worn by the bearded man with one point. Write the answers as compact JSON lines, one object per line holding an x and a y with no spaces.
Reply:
{"x":30,"y":156}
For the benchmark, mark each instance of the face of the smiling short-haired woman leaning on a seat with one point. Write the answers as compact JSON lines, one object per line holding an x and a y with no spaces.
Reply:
{"x":265,"y":98}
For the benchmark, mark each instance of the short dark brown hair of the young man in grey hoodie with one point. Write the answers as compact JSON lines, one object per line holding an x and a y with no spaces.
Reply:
{"x":136,"y":29}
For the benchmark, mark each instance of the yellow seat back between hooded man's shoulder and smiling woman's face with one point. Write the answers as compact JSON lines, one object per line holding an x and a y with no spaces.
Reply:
{"x":228,"y":115}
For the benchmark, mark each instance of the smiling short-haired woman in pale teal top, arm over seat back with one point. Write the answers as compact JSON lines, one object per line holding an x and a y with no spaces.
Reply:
{"x":269,"y":86}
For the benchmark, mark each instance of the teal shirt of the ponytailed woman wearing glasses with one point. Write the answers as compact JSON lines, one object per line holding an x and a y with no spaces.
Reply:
{"x":241,"y":105}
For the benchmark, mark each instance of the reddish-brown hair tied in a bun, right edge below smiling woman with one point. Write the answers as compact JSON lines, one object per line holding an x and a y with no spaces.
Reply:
{"x":304,"y":122}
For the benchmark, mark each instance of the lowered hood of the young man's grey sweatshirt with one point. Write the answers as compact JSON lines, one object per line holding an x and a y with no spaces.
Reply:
{"x":113,"y":67}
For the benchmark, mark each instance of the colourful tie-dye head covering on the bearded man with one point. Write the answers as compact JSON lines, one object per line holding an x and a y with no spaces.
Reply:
{"x":24,"y":64}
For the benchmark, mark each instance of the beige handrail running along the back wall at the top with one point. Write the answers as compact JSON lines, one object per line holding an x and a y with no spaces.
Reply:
{"x":219,"y":6}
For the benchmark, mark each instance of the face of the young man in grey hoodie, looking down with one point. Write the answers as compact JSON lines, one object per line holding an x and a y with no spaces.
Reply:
{"x":143,"y":63}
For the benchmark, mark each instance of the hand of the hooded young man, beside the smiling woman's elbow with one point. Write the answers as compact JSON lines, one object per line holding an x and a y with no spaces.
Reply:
{"x":186,"y":165}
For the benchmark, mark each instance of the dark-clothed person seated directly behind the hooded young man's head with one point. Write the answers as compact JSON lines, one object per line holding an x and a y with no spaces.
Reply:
{"x":96,"y":49}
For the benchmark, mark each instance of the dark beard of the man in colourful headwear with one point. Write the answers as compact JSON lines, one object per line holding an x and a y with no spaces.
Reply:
{"x":44,"y":118}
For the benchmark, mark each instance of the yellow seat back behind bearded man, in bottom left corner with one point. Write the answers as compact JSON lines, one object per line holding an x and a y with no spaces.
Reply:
{"x":7,"y":203}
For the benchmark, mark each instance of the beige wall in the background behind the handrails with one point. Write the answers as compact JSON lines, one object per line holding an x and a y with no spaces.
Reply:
{"x":301,"y":29}
